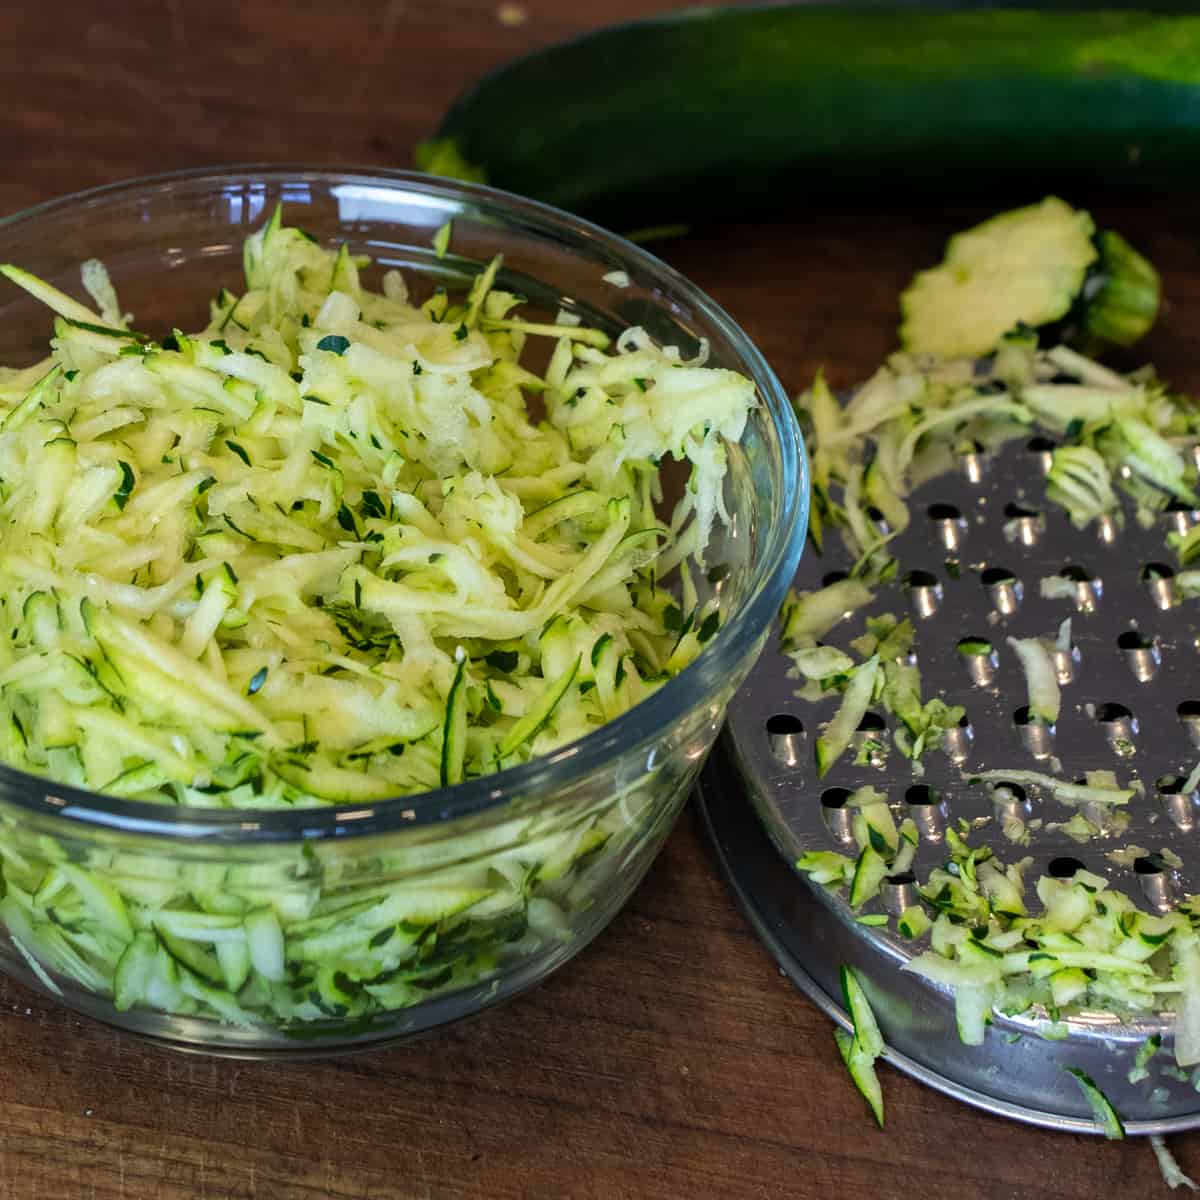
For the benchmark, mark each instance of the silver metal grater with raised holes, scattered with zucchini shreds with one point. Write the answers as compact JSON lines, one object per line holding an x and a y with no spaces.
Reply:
{"x":971,"y":562}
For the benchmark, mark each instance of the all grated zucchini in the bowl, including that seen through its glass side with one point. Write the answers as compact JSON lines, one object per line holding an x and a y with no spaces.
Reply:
{"x":322,"y":553}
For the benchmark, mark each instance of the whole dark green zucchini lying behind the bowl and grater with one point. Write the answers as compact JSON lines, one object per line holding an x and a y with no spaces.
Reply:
{"x":737,"y":109}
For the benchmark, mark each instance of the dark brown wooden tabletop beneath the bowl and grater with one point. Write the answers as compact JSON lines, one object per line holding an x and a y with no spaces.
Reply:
{"x":673,"y":1060}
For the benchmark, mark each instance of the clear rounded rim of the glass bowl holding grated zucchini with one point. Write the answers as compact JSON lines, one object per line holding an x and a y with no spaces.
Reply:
{"x":651,"y":718}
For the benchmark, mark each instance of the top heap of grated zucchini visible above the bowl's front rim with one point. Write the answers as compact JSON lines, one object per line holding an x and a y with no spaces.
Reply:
{"x":326,"y":550}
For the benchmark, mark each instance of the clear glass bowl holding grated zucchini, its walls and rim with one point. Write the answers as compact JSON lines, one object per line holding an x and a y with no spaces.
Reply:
{"x":471,"y":893}
